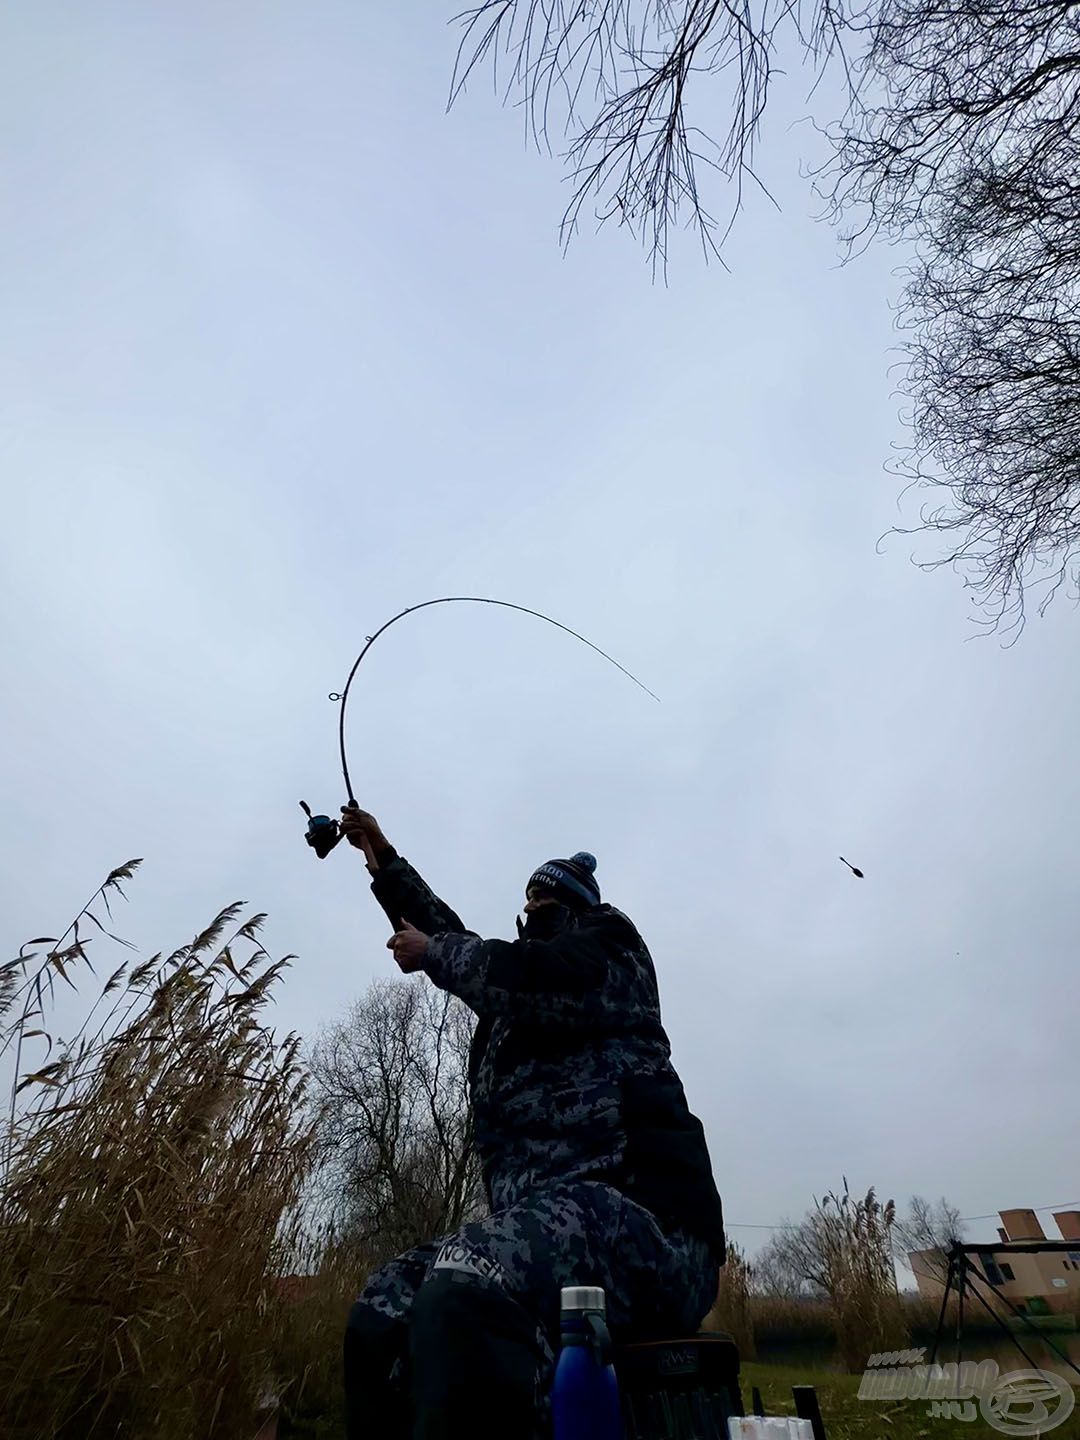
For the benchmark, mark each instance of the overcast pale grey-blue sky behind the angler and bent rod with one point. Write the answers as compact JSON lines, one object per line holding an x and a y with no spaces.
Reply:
{"x":287,"y":349}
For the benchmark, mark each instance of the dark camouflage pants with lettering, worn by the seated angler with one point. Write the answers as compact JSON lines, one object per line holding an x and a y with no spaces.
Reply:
{"x":490,"y":1294}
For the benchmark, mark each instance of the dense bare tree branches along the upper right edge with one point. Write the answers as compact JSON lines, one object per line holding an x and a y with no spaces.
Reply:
{"x":967,"y":142}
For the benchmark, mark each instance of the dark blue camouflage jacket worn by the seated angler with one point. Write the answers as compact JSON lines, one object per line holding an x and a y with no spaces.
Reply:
{"x":571,"y":1069}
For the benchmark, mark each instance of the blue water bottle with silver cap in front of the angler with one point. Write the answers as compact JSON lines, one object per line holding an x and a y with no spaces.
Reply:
{"x":585,"y":1403}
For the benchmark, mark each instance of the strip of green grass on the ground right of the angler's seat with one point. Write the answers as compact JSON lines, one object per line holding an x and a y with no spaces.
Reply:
{"x":847,"y":1418}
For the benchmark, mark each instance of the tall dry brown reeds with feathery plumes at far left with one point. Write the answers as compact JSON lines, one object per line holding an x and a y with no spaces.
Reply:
{"x":150,"y":1167}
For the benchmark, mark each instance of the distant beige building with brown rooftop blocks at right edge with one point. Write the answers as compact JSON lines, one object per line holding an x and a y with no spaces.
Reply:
{"x":1050,"y":1277}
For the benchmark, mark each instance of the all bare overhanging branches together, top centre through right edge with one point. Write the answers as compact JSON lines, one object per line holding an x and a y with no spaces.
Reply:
{"x":961,"y":136}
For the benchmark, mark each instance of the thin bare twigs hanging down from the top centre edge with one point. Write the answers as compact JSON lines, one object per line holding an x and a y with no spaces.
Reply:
{"x":616,"y":76}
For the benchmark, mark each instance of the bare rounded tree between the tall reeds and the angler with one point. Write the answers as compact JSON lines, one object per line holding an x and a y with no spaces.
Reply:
{"x":400,"y":1166}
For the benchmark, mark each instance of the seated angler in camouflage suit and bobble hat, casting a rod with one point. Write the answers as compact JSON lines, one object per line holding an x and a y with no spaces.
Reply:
{"x":595,"y":1170}
